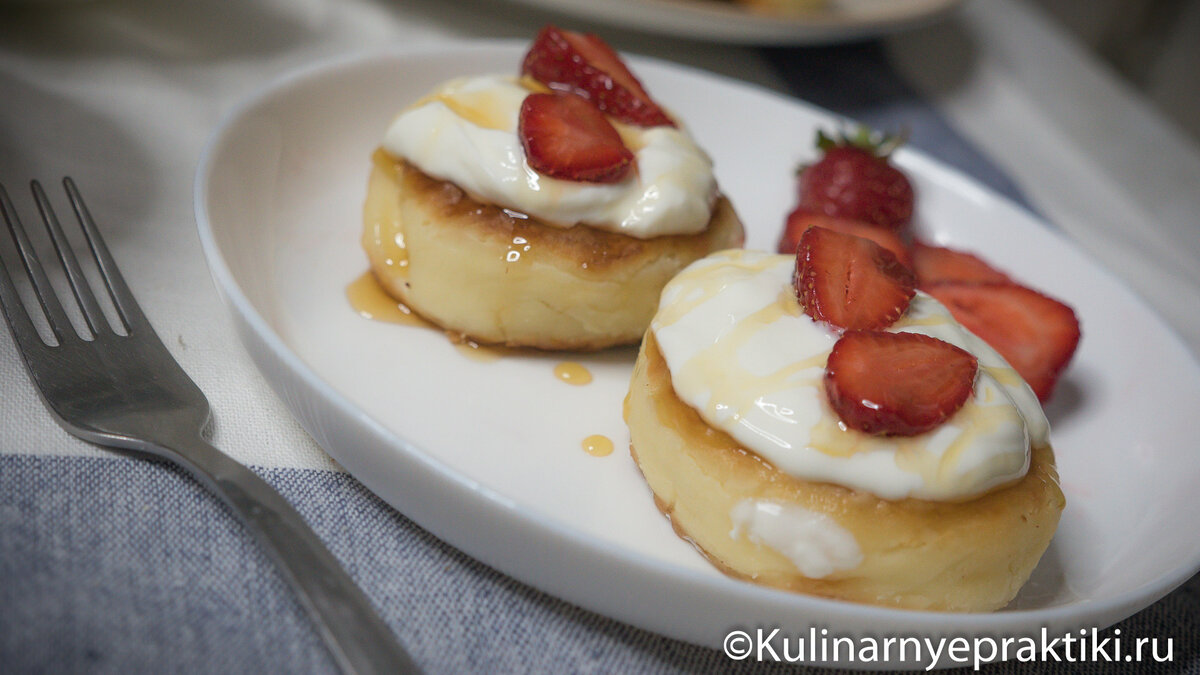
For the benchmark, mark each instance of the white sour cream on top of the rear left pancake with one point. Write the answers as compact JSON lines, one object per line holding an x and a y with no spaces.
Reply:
{"x":466,"y":133}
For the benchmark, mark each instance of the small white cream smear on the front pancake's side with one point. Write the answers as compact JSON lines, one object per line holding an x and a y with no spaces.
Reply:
{"x":814,"y":542}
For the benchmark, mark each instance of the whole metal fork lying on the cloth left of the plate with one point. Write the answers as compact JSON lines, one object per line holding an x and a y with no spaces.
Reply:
{"x":129,"y":392}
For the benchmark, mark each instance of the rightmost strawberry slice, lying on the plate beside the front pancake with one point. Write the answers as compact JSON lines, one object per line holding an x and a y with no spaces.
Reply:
{"x":1037,"y":336}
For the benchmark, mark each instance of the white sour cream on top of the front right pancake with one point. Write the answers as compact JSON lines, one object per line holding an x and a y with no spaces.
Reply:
{"x":743,"y":354}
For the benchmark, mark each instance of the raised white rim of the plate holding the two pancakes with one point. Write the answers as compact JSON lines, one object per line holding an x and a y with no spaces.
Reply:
{"x":271,"y":345}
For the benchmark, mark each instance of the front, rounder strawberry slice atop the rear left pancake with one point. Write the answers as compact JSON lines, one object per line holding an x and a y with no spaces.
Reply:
{"x":566,"y":136}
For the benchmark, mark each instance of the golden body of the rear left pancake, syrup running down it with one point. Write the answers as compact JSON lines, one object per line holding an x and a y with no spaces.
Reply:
{"x":499,"y":277}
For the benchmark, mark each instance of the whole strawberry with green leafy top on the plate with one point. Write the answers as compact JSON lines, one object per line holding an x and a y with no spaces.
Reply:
{"x":855,"y":180}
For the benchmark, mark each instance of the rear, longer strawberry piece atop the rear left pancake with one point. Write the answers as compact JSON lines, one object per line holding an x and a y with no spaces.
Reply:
{"x":585,"y":64}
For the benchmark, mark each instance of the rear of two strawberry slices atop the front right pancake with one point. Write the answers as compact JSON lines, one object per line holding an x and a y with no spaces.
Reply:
{"x":849,"y":282}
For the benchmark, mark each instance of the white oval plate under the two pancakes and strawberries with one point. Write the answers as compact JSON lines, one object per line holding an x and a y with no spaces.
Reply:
{"x":488,"y":456}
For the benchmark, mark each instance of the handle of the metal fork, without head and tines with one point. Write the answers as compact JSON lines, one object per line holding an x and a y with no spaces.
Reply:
{"x":355,"y":634}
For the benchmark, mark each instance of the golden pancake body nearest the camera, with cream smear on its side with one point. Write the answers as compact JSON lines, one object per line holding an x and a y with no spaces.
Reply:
{"x":964,"y":557}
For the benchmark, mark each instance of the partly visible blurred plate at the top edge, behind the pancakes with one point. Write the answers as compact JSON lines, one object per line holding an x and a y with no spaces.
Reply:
{"x":725,"y":21}
